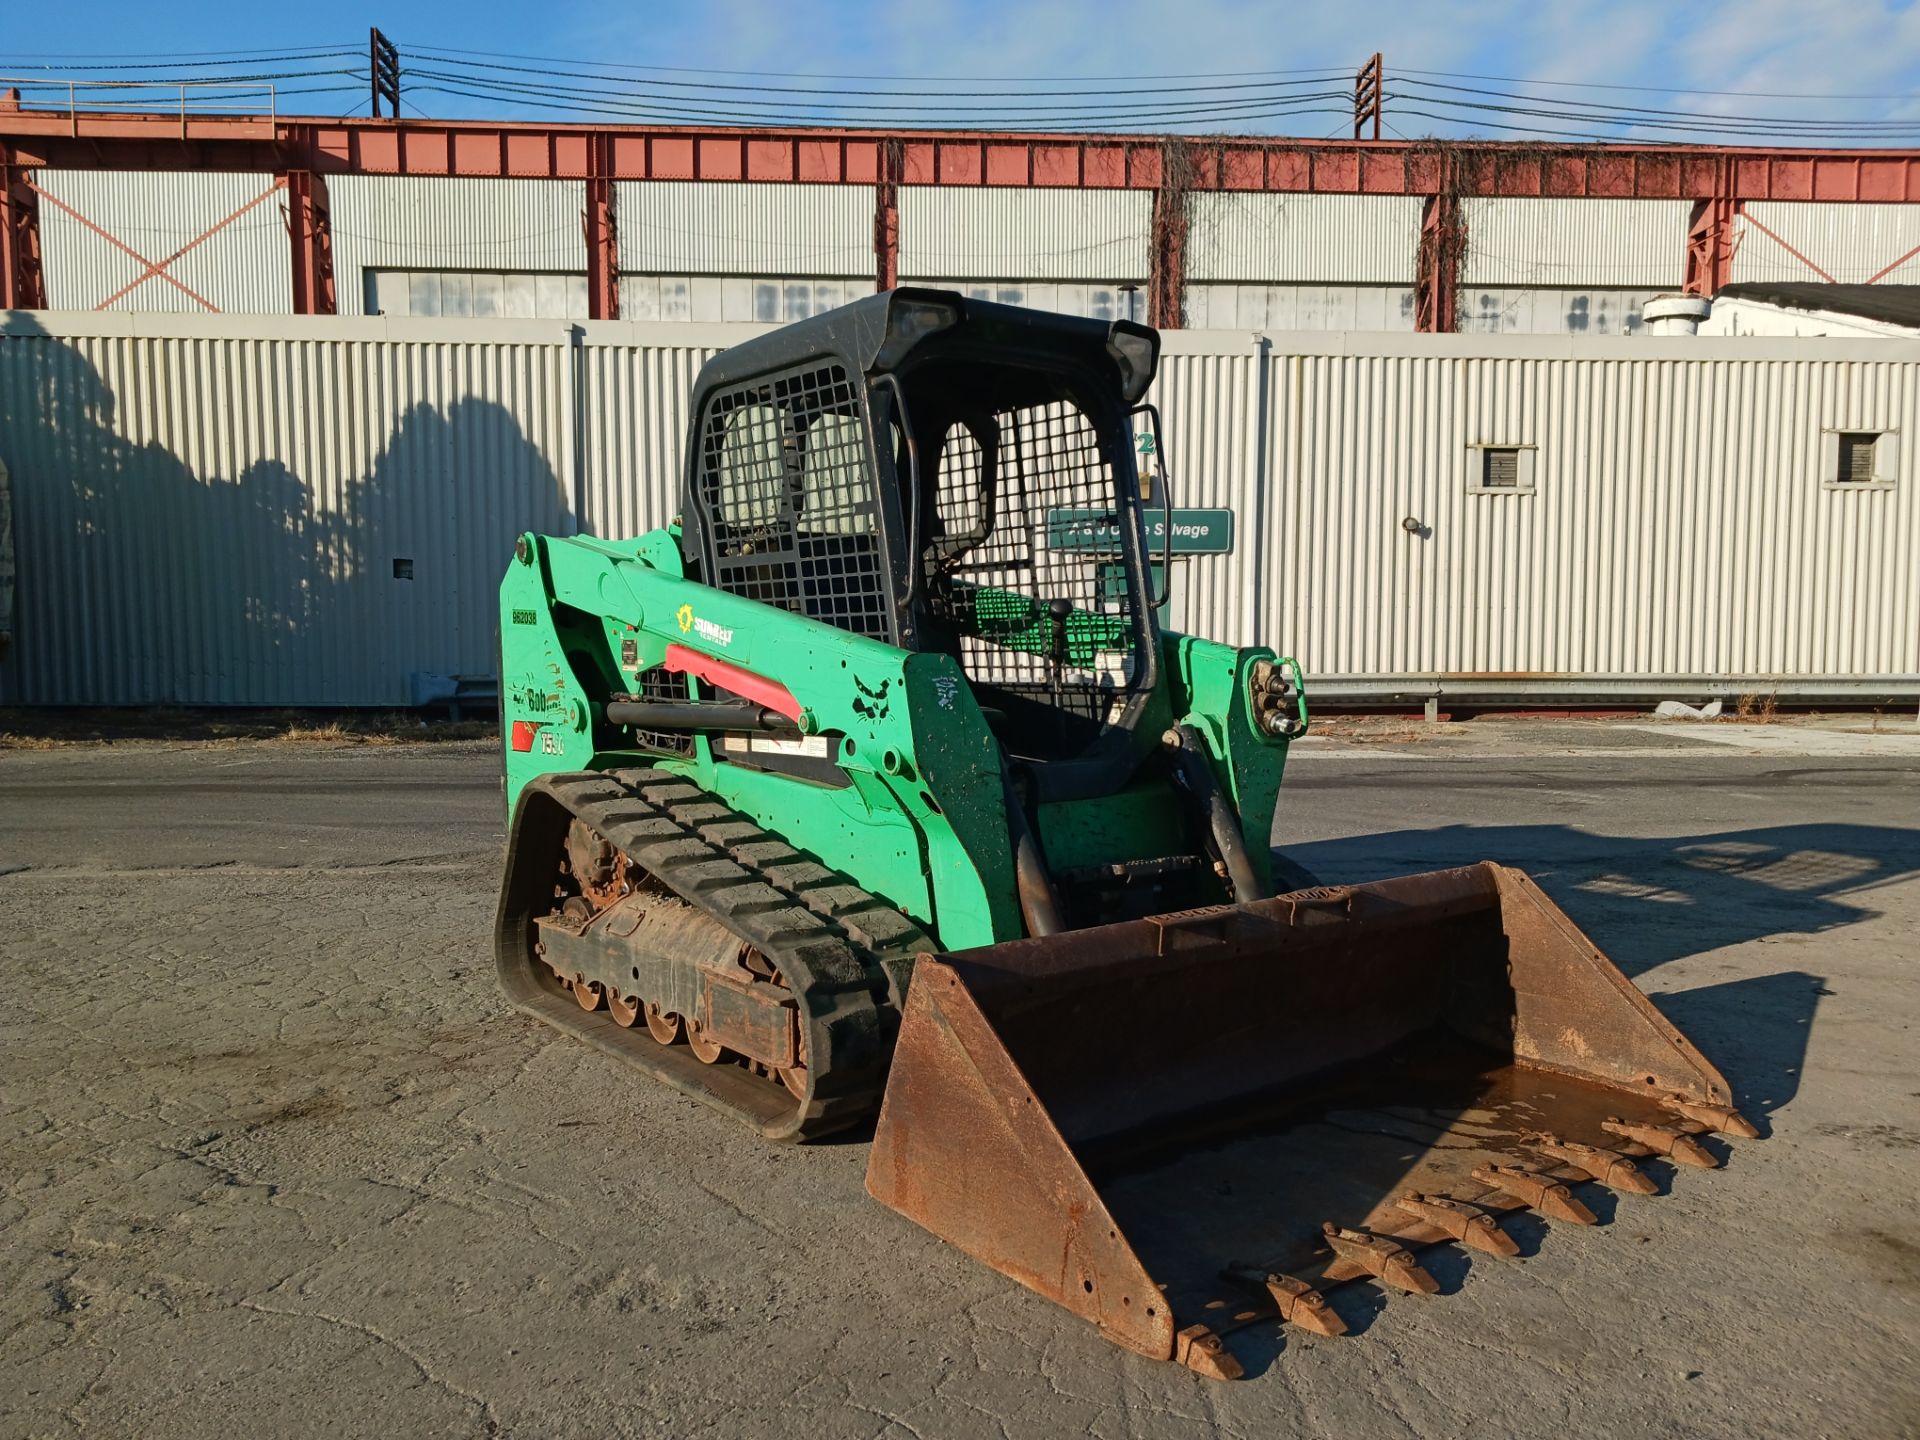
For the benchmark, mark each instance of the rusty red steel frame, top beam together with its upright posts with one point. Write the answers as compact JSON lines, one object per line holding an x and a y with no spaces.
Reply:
{"x":1716,"y":178}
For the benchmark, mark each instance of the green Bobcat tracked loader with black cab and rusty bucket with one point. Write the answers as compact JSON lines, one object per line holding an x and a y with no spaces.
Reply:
{"x":875,"y":788}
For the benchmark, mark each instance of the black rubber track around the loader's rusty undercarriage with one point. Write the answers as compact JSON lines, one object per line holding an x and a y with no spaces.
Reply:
{"x":844,"y":951}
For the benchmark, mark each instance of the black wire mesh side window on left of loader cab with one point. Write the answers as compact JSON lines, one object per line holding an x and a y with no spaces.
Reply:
{"x":790,"y":500}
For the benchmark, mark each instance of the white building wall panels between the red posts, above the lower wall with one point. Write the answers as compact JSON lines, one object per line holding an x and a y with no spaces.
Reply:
{"x":702,"y":251}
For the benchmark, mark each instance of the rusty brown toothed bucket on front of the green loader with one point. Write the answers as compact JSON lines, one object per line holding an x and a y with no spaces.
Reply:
{"x":1203,"y":1120}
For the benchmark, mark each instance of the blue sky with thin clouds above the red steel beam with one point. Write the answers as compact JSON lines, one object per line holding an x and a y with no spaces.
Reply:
{"x":1775,"y":47}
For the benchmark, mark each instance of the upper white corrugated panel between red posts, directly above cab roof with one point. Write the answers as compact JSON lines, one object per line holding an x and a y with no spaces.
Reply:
{"x":1024,"y":235}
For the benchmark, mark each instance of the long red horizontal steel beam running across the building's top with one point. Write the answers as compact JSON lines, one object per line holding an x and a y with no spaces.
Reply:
{"x":832,"y":156}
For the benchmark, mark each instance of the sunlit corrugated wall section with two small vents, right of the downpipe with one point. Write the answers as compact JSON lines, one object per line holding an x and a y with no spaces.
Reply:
{"x":1679,"y":523}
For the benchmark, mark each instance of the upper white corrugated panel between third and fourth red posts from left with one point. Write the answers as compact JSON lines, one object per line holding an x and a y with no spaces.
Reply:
{"x":708,"y":228}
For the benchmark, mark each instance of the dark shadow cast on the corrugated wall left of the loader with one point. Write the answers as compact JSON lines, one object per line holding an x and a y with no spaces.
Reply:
{"x":147,"y":583}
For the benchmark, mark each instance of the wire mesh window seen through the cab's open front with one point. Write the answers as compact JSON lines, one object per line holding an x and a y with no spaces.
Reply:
{"x":1026,"y":564}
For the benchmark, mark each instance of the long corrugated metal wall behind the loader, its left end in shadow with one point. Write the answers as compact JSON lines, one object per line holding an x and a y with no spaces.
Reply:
{"x":218,"y":510}
